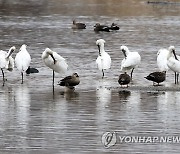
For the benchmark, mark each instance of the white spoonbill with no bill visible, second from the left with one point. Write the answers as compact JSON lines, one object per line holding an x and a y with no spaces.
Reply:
{"x":22,"y":60}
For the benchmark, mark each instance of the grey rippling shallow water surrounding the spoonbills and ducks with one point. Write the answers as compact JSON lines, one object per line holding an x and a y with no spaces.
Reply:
{"x":34,"y":120}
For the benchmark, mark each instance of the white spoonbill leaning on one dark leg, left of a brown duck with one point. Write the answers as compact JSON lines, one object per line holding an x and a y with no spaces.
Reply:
{"x":54,"y":61}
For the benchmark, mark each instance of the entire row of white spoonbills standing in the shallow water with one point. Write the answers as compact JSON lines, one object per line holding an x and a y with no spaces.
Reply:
{"x":166,"y":59}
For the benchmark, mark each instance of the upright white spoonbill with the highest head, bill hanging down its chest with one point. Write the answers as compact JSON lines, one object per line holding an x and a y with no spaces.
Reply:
{"x":103,"y":61}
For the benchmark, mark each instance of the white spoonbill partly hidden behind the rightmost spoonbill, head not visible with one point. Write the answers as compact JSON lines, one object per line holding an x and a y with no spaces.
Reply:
{"x":162,"y":60}
